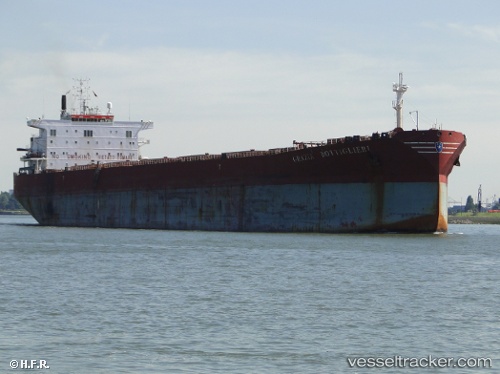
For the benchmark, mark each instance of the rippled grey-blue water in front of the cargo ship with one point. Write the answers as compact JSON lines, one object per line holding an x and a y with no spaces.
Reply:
{"x":80,"y":300}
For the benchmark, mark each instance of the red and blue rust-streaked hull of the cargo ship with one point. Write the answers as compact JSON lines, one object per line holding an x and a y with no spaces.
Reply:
{"x":389,"y":185}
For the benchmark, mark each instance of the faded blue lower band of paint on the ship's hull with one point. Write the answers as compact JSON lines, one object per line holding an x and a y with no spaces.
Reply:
{"x":349,"y":207}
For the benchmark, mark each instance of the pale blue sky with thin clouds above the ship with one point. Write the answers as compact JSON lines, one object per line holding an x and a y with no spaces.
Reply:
{"x":220,"y":76}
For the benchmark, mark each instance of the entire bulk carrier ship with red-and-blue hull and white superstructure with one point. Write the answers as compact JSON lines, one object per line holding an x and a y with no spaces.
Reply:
{"x":85,"y":170}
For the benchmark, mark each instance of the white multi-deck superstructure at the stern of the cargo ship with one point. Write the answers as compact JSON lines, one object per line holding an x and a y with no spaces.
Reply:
{"x":82,"y":137}
